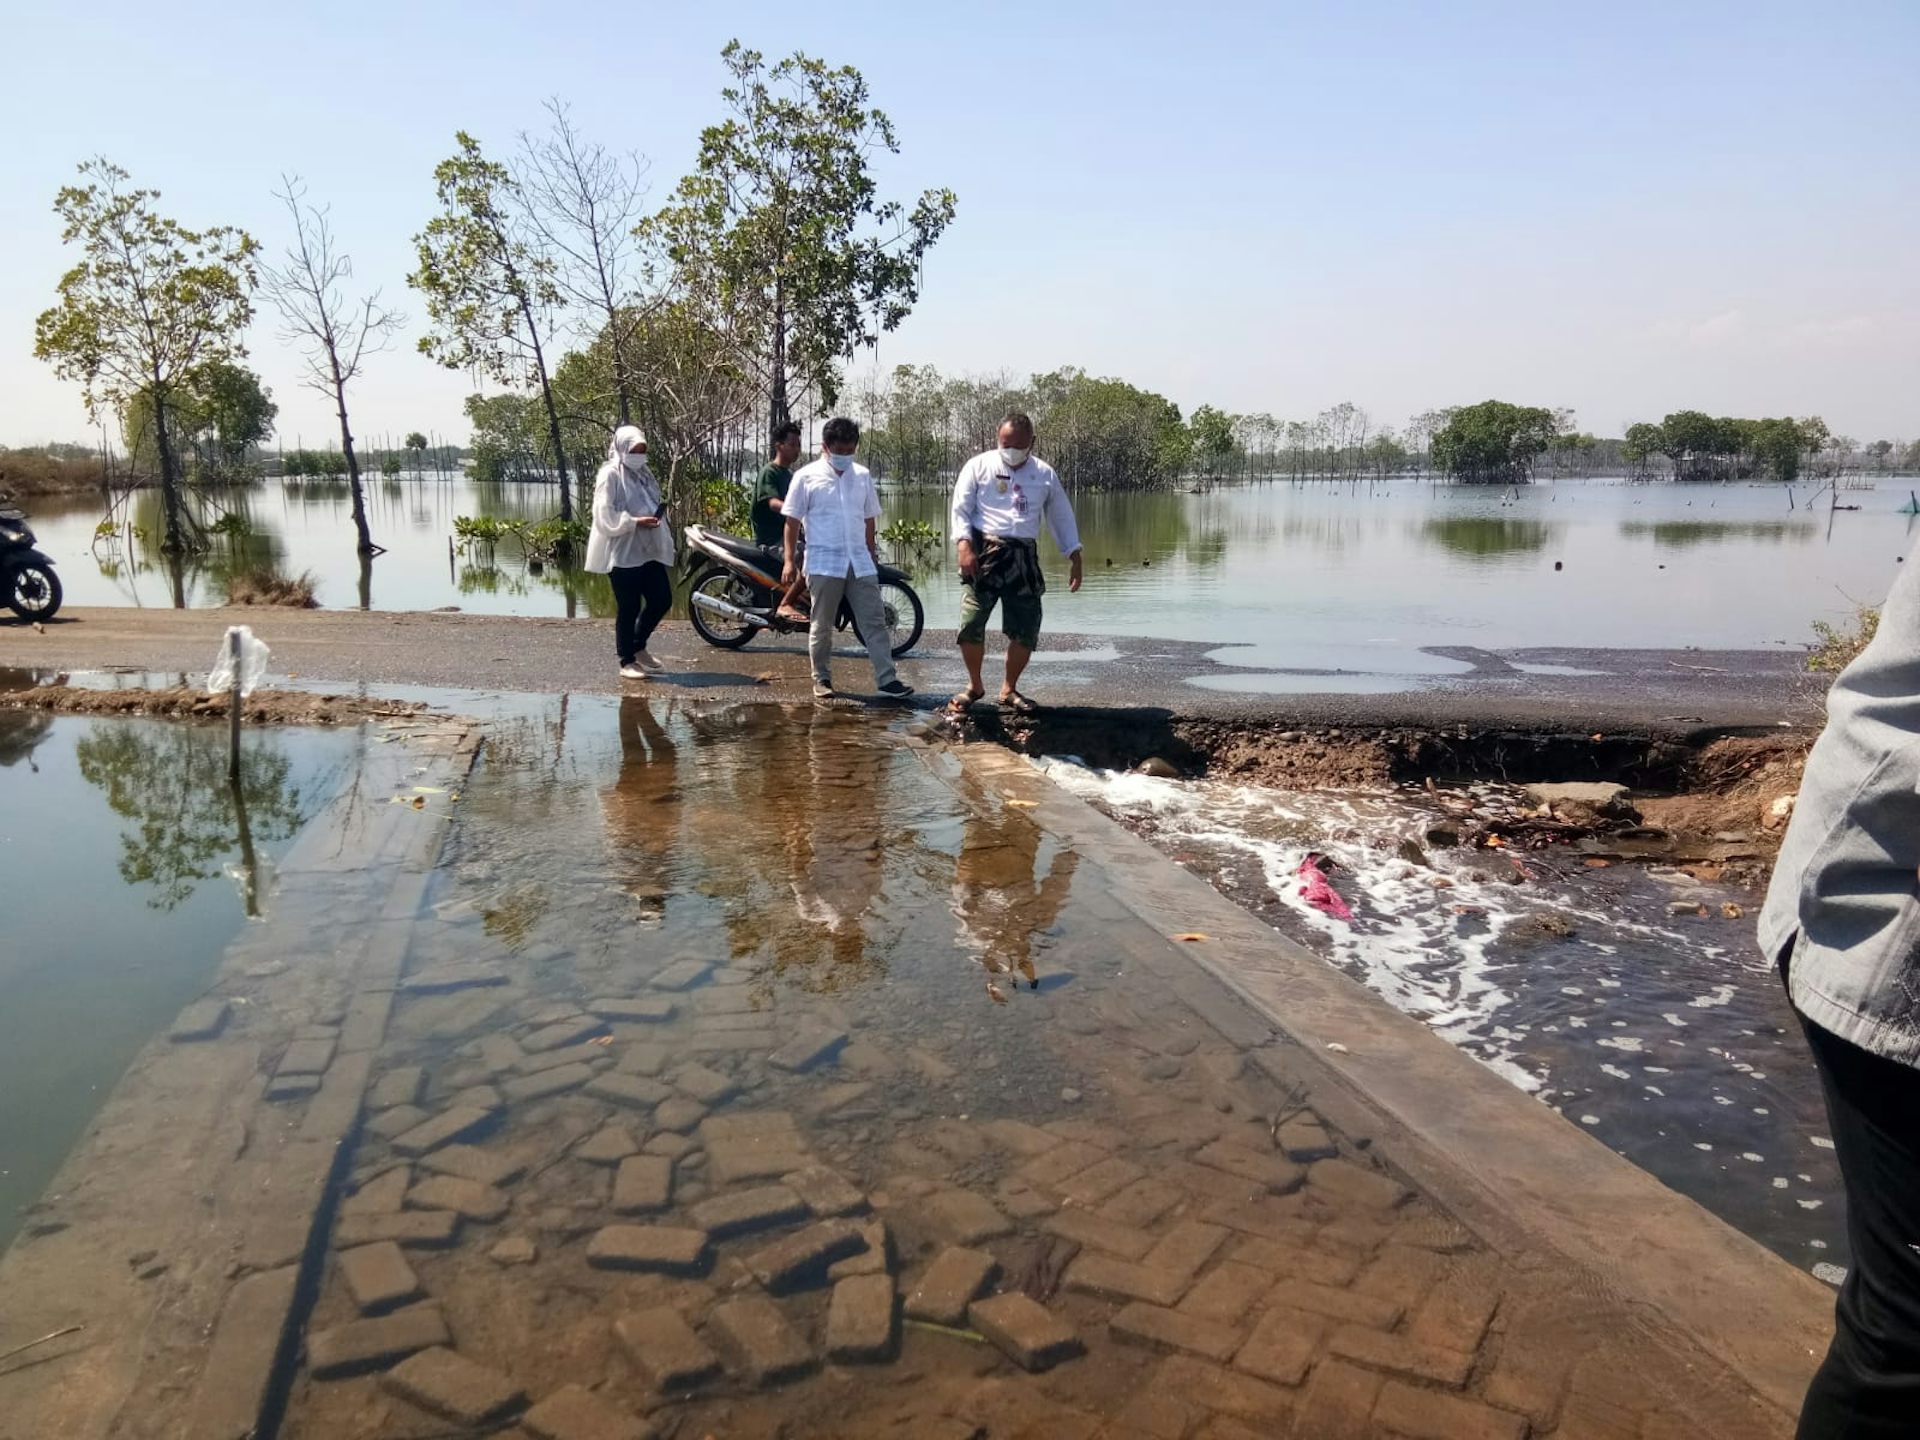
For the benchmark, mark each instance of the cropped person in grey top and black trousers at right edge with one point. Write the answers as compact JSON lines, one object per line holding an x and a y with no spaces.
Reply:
{"x":1842,"y":923}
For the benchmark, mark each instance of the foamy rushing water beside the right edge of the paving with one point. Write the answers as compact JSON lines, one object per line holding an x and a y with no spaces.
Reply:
{"x":1668,"y":1038}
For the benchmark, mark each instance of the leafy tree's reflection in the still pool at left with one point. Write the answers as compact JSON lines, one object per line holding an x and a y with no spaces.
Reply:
{"x":172,"y":786}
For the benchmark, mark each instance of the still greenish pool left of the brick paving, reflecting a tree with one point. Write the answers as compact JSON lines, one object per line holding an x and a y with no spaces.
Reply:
{"x":126,"y":876}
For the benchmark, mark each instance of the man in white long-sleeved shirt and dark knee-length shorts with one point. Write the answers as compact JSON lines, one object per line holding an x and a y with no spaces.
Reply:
{"x":1001,"y":500}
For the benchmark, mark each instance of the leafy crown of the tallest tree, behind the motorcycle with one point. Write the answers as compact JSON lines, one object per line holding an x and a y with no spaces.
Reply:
{"x":784,"y":222}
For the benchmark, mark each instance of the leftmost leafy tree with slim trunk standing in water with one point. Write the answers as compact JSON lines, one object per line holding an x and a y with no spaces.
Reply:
{"x":149,"y":306}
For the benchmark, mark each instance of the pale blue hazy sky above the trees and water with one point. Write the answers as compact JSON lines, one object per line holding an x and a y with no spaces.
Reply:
{"x":1623,"y":208}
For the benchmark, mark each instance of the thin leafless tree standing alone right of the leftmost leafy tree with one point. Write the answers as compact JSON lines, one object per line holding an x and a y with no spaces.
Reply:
{"x":333,"y":331}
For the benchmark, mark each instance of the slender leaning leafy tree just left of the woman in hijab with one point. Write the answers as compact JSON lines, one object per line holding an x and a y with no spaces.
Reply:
{"x":491,"y":285}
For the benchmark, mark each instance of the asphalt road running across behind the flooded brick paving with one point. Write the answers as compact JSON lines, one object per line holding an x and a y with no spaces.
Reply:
{"x":1585,"y":690}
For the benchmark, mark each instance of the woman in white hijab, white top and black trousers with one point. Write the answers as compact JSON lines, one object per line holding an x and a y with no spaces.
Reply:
{"x":633,"y":546}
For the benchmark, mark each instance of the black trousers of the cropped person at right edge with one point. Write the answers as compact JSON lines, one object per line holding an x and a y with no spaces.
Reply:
{"x":1869,"y":1387}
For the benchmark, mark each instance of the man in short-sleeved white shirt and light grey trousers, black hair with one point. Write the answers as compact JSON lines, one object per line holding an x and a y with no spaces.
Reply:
{"x":834,"y":504}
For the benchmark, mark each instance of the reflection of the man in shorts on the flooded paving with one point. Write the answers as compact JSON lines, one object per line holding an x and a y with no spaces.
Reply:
{"x":1001,"y":901}
